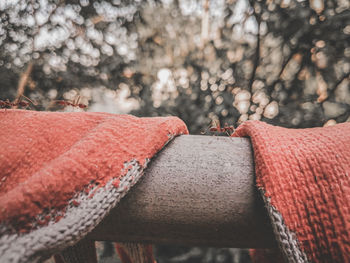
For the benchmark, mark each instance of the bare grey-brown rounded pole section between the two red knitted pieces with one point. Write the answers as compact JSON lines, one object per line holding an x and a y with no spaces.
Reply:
{"x":198,"y":191}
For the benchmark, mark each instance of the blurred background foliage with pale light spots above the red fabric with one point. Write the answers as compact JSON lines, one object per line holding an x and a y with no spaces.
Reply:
{"x":286,"y":62}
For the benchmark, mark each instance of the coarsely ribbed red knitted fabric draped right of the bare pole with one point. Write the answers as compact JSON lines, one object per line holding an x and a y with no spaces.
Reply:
{"x":304,"y":175}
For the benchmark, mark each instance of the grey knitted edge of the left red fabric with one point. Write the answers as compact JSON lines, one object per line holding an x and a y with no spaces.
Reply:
{"x":41,"y":243}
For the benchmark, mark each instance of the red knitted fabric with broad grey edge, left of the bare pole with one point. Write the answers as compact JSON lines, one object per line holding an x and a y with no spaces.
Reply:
{"x":61,"y":173}
